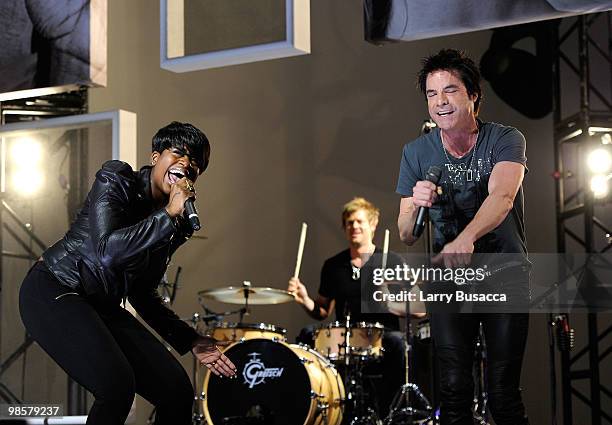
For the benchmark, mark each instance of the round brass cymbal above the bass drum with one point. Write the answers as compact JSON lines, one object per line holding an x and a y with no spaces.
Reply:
{"x":256,"y":295}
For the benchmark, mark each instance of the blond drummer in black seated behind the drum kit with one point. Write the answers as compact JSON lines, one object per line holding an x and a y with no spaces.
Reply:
{"x":340,"y":290}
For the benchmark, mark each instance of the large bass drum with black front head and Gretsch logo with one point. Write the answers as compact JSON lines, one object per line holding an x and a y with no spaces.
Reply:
{"x":278,"y":384}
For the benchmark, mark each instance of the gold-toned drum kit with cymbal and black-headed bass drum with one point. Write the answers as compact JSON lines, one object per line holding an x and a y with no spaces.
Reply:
{"x":283,"y":383}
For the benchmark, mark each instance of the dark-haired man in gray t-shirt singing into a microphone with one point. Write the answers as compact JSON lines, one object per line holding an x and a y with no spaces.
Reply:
{"x":478,"y":210}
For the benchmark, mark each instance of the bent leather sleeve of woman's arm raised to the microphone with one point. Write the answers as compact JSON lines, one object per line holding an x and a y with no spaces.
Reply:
{"x":114,"y":241}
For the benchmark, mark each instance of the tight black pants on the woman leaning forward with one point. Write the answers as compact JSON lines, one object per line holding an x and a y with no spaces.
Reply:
{"x":106,"y":350}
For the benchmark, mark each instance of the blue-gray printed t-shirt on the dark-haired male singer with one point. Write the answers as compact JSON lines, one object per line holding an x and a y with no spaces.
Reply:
{"x":464,"y":184}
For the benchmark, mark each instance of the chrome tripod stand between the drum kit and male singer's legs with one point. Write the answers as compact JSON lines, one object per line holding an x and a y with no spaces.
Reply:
{"x":403,"y":410}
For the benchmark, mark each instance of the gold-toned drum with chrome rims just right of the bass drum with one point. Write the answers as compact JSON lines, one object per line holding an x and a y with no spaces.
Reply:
{"x":365,"y":340}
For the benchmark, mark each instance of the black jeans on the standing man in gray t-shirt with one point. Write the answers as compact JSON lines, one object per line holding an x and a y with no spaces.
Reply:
{"x":505,"y":335}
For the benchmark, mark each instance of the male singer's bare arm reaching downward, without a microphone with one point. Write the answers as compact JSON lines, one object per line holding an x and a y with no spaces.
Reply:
{"x":504,"y":183}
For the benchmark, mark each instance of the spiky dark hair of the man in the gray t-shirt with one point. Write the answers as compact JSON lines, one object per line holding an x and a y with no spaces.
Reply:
{"x":456,"y":62}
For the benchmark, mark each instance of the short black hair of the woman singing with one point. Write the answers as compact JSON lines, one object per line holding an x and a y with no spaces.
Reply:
{"x":184,"y":136}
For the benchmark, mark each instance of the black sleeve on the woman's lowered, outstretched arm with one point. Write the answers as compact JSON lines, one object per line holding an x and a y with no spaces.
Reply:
{"x":166,"y":323}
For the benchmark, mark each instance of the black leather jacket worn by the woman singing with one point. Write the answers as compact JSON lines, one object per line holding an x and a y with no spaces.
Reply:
{"x":119,"y":246}
